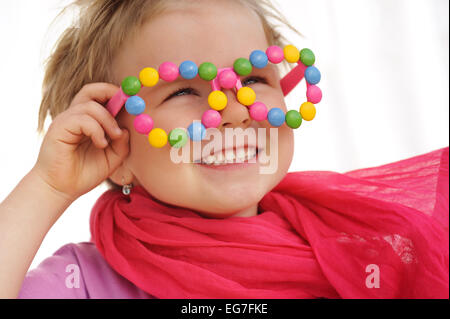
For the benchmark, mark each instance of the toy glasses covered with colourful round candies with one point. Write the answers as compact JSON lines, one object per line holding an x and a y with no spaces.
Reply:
{"x":225,"y":78}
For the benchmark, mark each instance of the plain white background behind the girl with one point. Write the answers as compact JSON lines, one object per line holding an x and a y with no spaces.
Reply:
{"x":384,"y":66}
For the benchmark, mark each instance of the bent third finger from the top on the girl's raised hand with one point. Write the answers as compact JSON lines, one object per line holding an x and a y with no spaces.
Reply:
{"x":80,"y":125}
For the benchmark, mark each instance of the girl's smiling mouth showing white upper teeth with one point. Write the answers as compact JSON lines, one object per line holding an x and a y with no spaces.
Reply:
{"x":239,"y":155}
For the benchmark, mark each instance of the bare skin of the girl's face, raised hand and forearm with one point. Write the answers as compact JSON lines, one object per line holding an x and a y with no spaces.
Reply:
{"x":84,"y":145}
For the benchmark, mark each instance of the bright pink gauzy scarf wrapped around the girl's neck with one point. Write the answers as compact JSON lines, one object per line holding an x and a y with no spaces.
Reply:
{"x":379,"y":232}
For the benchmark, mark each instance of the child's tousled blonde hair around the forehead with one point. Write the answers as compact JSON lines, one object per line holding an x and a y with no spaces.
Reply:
{"x":84,"y":52}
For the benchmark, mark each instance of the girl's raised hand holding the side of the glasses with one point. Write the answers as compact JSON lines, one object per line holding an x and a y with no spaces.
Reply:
{"x":75,"y":155}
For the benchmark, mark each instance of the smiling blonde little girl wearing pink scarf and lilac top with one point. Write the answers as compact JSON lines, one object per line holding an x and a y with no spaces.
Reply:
{"x":215,"y":228}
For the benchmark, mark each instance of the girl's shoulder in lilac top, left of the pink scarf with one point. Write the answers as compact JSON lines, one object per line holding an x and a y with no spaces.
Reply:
{"x":77,"y":270}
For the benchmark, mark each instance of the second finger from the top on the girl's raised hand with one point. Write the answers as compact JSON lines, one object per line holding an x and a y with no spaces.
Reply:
{"x":101,"y":115}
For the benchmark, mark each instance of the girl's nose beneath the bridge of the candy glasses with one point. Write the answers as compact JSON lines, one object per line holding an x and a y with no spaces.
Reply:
{"x":235,"y":114}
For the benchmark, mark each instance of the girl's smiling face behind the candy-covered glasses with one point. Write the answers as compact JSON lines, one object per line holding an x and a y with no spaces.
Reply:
{"x":204,"y":31}
